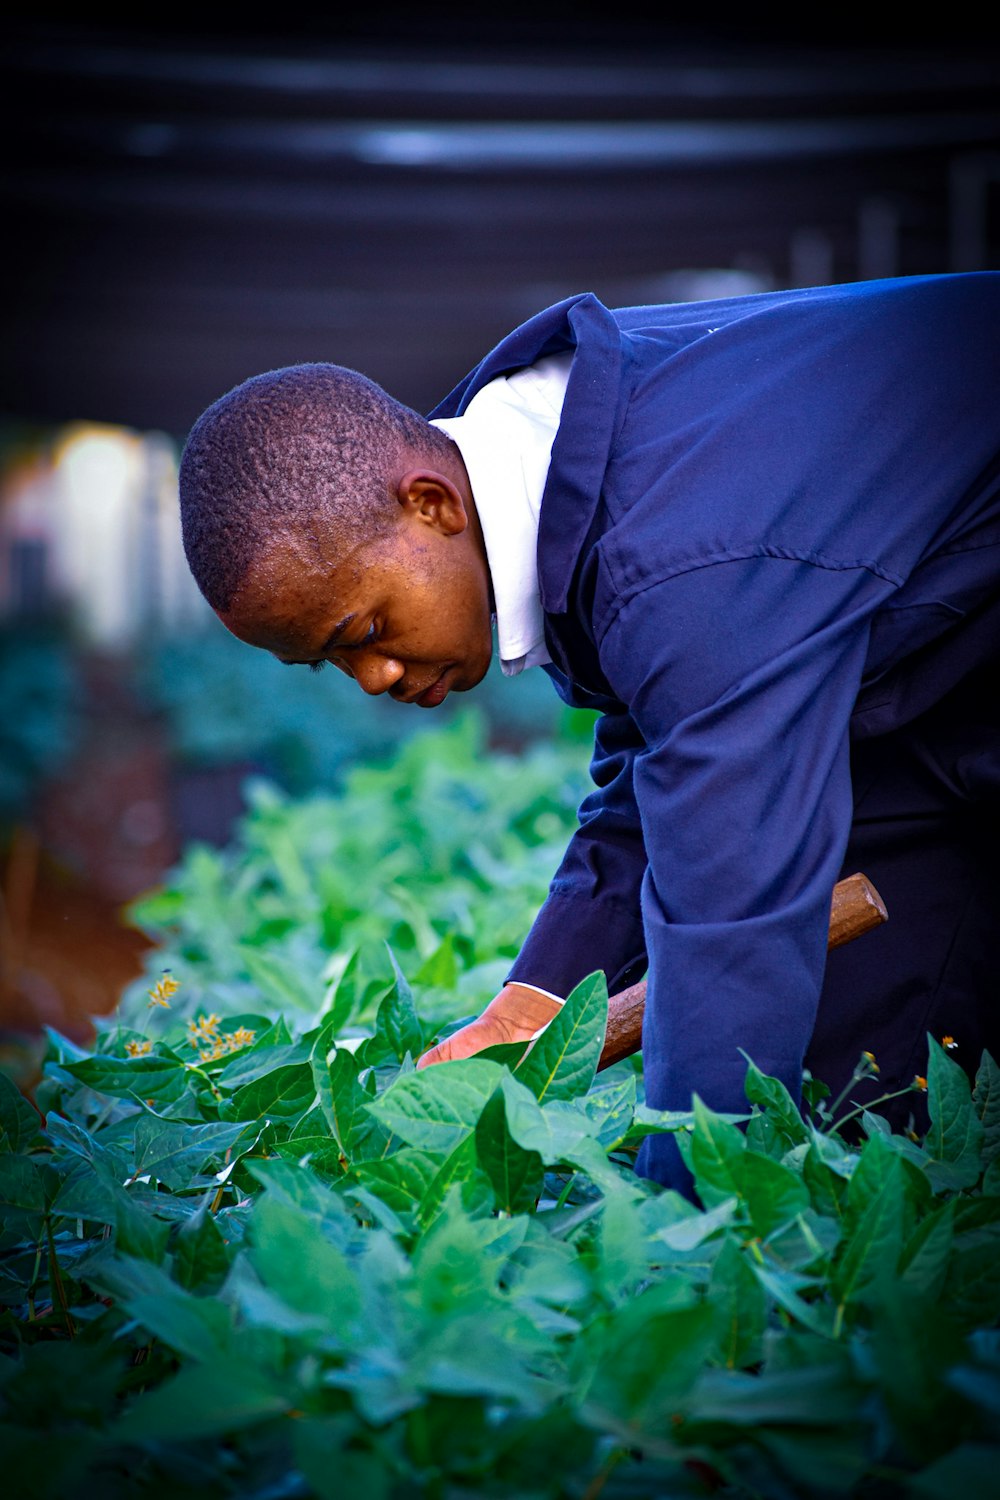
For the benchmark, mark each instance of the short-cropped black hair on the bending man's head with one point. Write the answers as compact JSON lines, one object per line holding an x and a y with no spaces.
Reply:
{"x":281,"y":451}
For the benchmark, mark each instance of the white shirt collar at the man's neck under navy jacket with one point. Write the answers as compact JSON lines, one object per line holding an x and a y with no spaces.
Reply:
{"x":506,"y":439}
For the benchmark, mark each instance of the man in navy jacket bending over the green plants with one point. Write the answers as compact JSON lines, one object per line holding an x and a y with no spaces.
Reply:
{"x":762,"y":538}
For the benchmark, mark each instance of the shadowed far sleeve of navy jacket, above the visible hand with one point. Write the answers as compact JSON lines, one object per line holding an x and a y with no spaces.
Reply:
{"x":591,"y":919}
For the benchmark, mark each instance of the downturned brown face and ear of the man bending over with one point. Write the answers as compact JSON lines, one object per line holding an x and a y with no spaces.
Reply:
{"x":407,"y":616}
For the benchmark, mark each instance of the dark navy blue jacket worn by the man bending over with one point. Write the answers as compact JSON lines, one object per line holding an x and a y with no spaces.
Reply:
{"x":771,"y":524}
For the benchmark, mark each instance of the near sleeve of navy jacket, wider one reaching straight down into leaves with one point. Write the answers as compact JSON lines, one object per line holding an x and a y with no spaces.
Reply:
{"x":741,"y":679}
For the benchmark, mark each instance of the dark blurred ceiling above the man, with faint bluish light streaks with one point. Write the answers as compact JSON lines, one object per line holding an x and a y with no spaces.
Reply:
{"x":187,"y":208}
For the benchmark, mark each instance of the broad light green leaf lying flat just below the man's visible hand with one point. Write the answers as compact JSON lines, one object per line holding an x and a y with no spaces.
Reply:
{"x":437,"y":1108}
